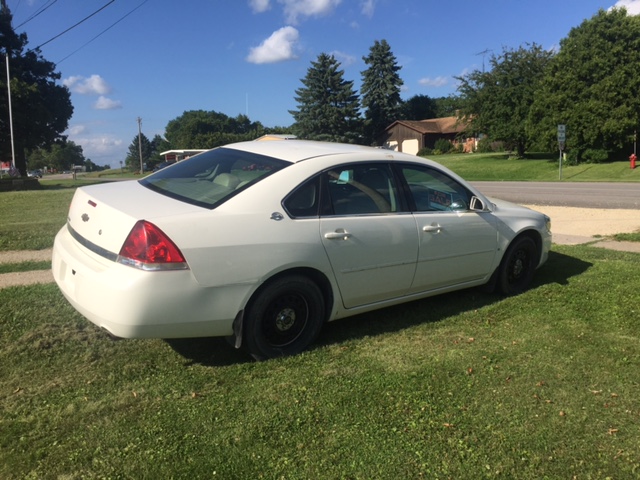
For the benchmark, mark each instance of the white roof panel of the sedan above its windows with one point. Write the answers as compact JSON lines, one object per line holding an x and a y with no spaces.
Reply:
{"x":298,"y":150}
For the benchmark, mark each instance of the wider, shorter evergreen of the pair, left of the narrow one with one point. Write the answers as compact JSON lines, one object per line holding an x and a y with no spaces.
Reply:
{"x":328,"y":106}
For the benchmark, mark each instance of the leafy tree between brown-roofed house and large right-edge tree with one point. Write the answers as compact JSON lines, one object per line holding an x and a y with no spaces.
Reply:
{"x":497,"y":101}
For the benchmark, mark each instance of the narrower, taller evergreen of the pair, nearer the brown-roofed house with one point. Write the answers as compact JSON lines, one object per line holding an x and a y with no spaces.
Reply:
{"x":380,"y":90}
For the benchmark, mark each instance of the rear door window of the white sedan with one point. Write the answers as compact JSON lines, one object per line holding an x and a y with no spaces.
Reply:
{"x":362,"y":189}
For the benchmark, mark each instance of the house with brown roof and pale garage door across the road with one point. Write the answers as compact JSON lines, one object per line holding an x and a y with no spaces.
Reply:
{"x":410,"y":136}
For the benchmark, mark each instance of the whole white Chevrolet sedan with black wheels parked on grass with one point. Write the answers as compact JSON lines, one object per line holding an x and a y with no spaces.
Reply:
{"x":264,"y":242}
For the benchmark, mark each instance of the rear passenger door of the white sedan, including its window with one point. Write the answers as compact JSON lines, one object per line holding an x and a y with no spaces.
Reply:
{"x":369,"y":237}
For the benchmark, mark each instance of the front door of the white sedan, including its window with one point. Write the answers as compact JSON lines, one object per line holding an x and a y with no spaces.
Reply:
{"x":457,"y":244}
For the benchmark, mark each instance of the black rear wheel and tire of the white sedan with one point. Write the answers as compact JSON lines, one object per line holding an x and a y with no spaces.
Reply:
{"x":284,"y":318}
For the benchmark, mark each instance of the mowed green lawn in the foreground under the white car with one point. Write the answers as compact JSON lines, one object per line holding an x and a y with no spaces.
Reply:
{"x":465,"y":386}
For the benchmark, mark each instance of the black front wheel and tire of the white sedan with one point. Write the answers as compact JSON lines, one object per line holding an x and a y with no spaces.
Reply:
{"x":518,"y":266}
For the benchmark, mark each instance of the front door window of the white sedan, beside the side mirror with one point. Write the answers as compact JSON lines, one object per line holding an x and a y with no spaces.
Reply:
{"x":433,"y":191}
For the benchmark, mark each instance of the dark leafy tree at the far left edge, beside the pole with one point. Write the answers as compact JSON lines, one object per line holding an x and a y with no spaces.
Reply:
{"x":41,"y":109}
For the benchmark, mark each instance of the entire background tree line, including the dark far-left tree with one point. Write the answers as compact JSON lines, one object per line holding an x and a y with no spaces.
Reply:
{"x":590,"y":84}
